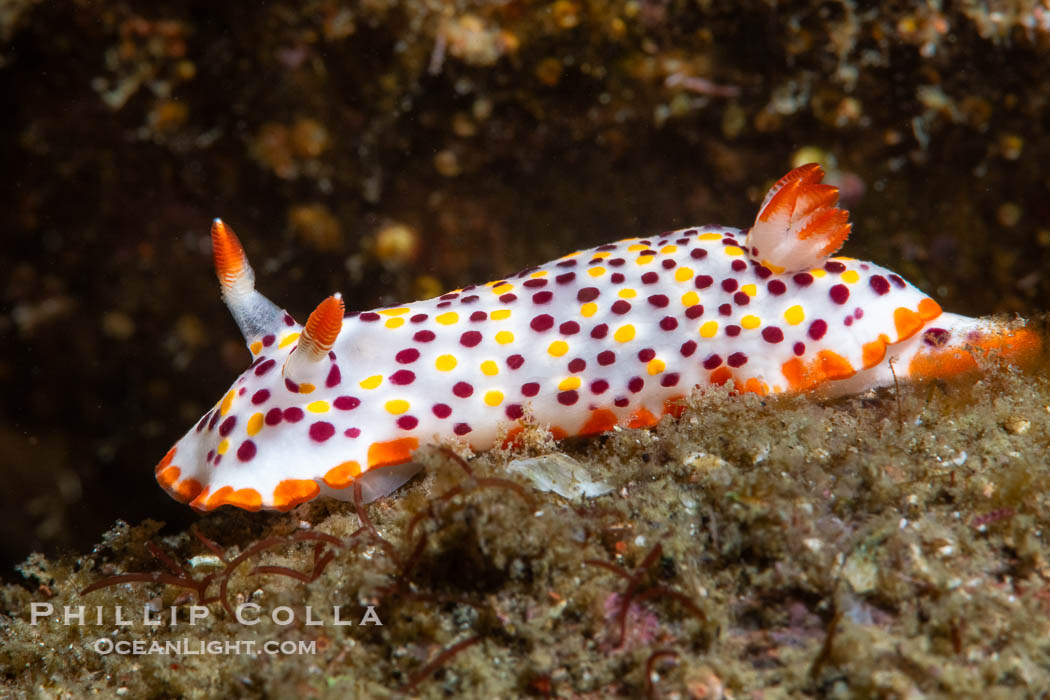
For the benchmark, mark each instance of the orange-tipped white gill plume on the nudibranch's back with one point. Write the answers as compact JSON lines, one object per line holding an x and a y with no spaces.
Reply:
{"x":799,"y":225}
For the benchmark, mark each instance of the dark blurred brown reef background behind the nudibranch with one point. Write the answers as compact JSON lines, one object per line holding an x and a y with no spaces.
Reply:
{"x":391,"y":152}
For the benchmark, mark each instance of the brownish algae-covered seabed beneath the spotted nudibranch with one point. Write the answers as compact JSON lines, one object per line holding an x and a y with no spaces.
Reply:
{"x":892,"y":543}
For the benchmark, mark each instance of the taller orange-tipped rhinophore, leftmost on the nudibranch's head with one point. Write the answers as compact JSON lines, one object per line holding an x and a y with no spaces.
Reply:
{"x":255,"y":314}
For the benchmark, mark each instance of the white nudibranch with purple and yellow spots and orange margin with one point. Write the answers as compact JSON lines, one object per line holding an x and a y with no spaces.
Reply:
{"x":613,"y":336}
